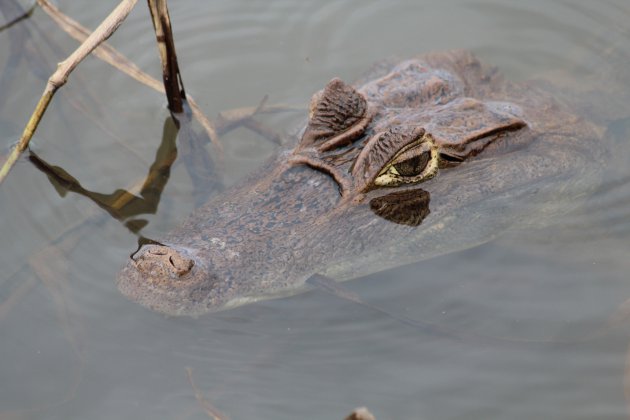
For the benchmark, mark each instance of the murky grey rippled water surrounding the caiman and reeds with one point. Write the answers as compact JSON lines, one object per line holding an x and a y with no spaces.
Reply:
{"x":72,"y":347}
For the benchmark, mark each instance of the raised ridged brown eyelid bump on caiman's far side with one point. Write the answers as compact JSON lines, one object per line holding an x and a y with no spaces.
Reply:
{"x":339,"y":114}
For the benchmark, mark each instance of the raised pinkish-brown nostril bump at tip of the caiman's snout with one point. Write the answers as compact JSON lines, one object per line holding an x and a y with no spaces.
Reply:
{"x":160,"y":261}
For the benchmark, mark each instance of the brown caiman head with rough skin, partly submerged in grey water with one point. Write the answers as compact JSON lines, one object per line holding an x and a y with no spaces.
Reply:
{"x":424,"y":157}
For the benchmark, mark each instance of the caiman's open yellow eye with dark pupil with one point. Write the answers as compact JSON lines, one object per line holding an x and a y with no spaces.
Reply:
{"x":414,"y":163}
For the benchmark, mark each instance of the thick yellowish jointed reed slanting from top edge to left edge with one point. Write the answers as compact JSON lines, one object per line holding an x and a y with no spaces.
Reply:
{"x":60,"y":77}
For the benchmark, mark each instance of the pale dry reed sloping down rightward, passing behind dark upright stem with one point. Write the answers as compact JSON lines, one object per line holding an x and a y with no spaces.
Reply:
{"x":114,"y":58}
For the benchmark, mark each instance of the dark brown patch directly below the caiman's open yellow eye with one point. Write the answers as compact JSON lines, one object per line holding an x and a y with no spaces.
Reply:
{"x":408,"y":207}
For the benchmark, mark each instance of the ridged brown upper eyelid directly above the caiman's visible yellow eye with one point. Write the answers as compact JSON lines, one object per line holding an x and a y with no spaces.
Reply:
{"x":379,"y":150}
